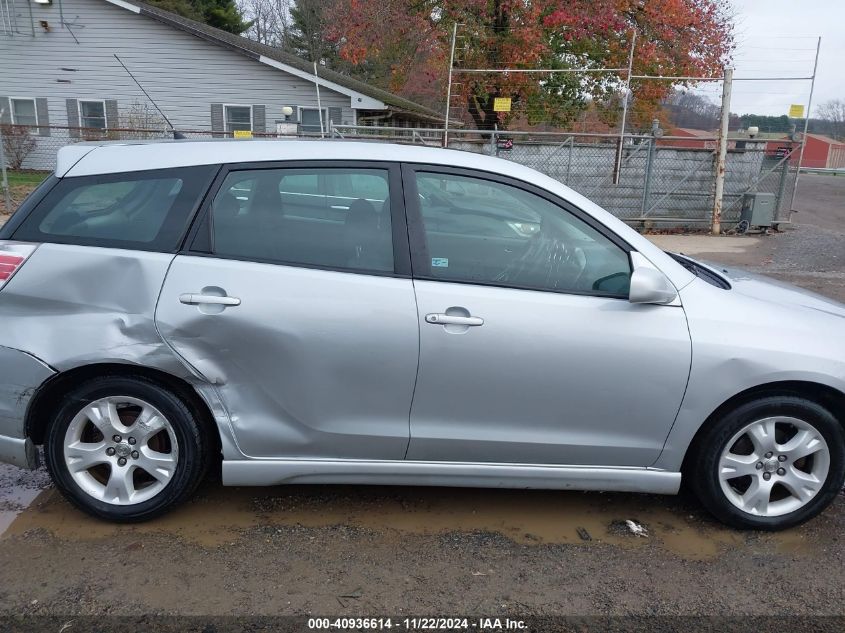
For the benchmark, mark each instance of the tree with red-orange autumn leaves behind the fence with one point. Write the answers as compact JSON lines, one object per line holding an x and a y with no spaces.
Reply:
{"x":403,"y":45}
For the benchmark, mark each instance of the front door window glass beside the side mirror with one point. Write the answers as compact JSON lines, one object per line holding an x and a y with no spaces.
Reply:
{"x":487,"y":232}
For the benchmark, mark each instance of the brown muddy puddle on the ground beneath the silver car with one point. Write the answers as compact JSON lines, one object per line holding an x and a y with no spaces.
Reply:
{"x":218,"y":517}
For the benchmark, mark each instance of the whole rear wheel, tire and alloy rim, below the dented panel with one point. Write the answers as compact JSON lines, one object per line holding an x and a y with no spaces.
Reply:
{"x":125,"y":448}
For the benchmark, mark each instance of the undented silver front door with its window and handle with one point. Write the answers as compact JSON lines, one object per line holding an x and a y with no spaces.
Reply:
{"x":530,"y":351}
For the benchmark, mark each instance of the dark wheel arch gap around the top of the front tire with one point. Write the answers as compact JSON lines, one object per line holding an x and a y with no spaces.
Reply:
{"x":824,"y":395}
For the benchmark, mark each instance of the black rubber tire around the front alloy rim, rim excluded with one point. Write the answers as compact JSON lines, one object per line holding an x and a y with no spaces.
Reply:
{"x":701,"y":470}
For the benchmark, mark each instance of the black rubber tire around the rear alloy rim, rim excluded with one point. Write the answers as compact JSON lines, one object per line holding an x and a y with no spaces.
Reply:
{"x":193,"y":447}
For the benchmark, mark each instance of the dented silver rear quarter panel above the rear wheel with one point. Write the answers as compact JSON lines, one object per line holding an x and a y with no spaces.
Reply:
{"x":71,"y":306}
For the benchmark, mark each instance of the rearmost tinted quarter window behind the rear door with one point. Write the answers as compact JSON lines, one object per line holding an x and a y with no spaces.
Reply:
{"x":147,"y":210}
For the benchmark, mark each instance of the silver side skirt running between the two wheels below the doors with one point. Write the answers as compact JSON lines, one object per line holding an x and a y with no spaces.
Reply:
{"x":472,"y":475}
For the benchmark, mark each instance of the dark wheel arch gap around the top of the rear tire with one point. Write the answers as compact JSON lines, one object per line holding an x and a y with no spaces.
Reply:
{"x":38,"y":412}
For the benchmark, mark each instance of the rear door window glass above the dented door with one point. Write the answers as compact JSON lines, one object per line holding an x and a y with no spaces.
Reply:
{"x":335,"y":218}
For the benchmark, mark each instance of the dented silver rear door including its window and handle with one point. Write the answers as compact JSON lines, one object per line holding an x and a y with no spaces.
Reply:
{"x":291,"y":302}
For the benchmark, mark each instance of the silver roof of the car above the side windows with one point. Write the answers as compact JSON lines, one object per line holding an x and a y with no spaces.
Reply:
{"x":88,"y":159}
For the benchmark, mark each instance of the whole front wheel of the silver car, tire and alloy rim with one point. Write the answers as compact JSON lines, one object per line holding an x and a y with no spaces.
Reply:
{"x":770,"y":464}
